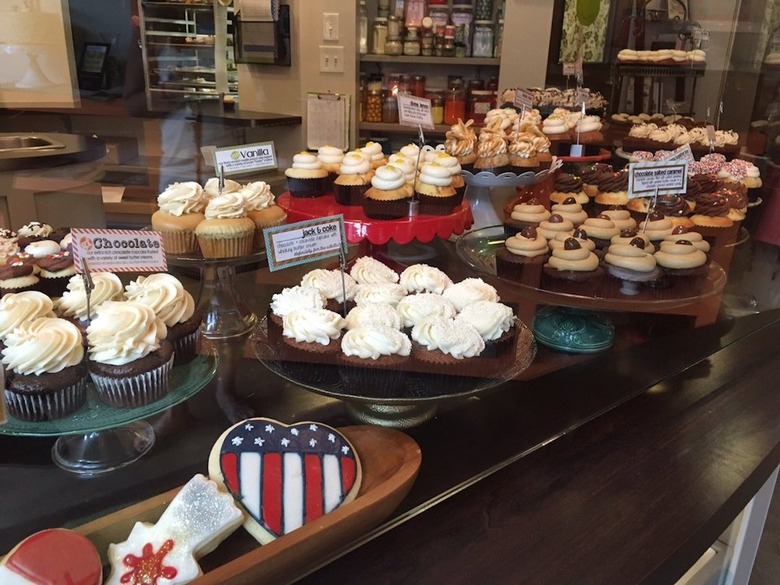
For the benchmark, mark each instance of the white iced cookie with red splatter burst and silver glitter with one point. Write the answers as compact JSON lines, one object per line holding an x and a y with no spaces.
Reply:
{"x":196,"y":521}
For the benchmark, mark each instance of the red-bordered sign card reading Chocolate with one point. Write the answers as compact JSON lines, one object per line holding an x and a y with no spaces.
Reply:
{"x":119,"y":250}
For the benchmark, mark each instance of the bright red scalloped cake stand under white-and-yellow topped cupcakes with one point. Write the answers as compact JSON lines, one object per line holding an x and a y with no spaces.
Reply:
{"x":359,"y":228}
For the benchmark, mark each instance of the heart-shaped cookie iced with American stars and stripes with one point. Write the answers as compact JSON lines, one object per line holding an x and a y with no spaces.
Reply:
{"x":284,"y":476}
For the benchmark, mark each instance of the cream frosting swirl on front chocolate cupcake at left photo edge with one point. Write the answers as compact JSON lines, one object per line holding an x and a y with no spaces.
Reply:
{"x":43,"y":346}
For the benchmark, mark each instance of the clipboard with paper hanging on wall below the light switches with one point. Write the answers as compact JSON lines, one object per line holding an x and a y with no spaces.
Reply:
{"x":327,"y":120}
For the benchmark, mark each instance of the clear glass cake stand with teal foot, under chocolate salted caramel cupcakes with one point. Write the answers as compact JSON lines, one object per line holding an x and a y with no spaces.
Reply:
{"x":569,"y":322}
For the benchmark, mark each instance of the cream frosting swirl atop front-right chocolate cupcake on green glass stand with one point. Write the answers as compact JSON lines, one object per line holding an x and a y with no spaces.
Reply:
{"x":123,"y":332}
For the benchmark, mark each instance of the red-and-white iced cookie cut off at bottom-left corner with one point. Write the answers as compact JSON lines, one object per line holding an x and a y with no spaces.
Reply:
{"x":55,"y":556}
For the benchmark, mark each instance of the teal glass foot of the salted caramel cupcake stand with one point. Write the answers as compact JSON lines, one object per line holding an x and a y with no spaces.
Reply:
{"x":573,"y":330}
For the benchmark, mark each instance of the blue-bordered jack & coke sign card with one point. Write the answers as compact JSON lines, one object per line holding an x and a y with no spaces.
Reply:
{"x":293,"y":244}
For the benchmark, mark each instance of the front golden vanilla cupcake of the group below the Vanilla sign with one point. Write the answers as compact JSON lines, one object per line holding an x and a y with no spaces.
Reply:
{"x":226,"y":232}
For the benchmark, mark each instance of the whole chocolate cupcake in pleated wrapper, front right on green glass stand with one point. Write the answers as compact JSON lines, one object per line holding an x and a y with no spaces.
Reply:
{"x":130,"y":361}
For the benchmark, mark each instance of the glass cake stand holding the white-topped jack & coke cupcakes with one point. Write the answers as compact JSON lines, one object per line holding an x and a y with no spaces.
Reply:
{"x":415,"y":396}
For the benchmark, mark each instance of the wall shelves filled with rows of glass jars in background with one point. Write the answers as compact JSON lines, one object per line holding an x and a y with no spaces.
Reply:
{"x":443,"y":50}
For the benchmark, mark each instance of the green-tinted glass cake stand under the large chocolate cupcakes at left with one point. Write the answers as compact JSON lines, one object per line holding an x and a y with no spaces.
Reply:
{"x":98,"y":438}
